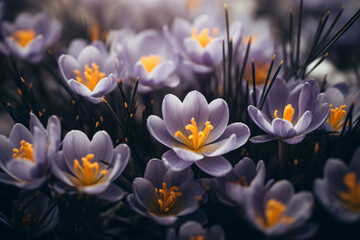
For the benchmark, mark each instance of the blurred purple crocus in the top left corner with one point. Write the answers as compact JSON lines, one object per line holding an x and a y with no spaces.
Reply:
{"x":29,"y":36}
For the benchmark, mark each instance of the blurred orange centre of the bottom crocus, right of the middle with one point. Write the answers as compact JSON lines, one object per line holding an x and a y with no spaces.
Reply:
{"x":274,"y":214}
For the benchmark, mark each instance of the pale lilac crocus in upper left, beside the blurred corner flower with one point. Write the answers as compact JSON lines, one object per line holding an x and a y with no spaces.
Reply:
{"x":93,"y":72}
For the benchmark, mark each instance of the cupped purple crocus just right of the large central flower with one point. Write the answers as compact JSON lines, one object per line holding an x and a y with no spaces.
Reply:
{"x":290,"y":112}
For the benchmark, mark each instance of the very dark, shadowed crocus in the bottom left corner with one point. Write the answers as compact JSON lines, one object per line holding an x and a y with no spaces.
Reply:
{"x":35,"y":214}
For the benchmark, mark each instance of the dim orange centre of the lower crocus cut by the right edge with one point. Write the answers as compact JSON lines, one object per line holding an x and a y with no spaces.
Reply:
{"x":351,"y":198}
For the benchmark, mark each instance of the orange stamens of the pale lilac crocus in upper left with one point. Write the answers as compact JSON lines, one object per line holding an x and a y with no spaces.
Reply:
{"x":92,"y":76}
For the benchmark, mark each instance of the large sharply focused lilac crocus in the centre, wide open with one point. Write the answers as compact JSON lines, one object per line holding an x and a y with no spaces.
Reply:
{"x":197,"y":132}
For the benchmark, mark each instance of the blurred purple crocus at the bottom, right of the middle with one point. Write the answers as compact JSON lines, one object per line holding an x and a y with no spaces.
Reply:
{"x":279,"y":212}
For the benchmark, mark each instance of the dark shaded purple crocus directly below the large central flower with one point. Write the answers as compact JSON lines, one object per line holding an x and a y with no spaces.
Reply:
{"x":164,"y":195}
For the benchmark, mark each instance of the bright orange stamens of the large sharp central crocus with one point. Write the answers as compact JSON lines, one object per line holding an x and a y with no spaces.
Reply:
{"x":196,"y":139}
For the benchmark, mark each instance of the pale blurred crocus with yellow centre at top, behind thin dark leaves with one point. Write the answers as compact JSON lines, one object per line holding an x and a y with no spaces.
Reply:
{"x":200,"y":43}
